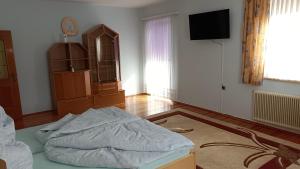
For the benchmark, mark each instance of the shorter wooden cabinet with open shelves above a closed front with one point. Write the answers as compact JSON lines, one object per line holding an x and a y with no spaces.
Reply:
{"x":70,"y":77}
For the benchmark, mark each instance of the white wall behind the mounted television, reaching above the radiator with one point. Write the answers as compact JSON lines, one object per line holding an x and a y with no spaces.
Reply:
{"x":199,"y":62}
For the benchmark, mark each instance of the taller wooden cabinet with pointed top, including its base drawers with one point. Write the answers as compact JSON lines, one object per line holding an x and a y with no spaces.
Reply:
{"x":102,"y":44}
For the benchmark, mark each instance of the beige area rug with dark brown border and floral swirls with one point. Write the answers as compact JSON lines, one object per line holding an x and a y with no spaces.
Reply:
{"x":221,"y":145}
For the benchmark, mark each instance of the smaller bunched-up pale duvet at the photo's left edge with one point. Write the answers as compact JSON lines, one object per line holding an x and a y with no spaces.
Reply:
{"x":16,"y":154}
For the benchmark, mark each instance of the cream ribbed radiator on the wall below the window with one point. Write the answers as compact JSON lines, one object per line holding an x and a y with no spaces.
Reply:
{"x":277,"y":109}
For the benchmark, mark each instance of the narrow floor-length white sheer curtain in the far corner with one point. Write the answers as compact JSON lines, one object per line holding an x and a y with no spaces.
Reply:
{"x":159,"y":60}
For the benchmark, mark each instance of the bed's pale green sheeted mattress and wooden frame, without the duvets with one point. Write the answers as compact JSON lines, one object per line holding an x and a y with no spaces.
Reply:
{"x":183,"y":158}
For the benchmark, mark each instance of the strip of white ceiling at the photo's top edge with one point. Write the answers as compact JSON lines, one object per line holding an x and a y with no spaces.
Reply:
{"x":119,"y":3}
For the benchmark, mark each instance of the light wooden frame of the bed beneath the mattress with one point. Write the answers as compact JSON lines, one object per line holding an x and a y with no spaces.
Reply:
{"x":187,"y":162}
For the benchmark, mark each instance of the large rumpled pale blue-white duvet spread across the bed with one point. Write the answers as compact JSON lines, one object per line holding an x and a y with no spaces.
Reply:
{"x":109,"y":138}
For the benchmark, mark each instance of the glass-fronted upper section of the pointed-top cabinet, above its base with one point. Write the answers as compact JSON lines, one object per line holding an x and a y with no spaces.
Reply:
{"x":102,"y":44}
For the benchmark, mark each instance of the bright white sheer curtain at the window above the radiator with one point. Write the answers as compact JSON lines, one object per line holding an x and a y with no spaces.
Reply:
{"x":282,"y":59}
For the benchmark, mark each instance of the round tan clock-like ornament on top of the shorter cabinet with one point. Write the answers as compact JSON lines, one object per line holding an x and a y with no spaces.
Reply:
{"x":69,"y":26}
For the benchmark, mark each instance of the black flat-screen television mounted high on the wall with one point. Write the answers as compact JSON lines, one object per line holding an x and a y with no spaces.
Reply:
{"x":210,"y":25}
